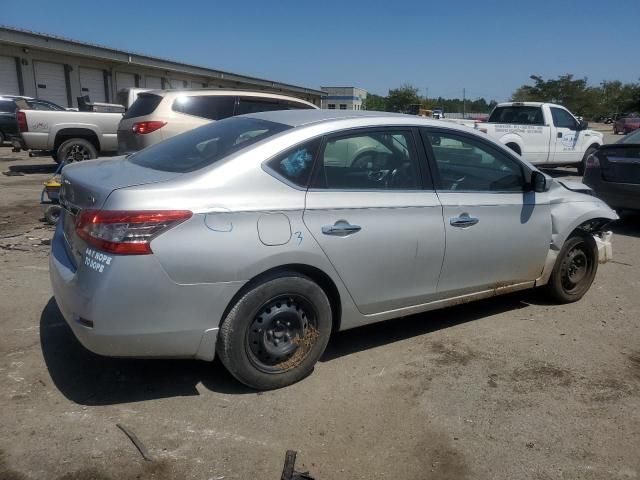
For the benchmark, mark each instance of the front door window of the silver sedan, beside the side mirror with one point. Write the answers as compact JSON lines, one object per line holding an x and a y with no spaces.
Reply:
{"x":469,"y":165}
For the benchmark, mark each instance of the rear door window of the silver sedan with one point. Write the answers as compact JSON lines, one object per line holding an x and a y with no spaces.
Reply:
{"x":377,"y":160}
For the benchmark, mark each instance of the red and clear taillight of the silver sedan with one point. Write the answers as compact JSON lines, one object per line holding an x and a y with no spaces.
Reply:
{"x":126,"y":232}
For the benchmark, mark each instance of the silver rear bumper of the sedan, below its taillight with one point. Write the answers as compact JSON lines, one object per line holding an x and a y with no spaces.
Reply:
{"x":130,"y":307}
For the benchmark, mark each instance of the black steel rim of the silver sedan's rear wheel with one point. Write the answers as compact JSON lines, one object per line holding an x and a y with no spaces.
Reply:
{"x":281,"y":333}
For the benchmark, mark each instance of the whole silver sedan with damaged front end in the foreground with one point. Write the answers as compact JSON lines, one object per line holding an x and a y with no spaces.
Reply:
{"x":255,"y":237}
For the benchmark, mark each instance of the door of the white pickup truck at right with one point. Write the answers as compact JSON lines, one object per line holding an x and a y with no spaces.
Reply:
{"x":566,"y":140}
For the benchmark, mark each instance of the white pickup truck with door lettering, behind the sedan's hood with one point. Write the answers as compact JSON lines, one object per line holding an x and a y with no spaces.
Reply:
{"x":543,"y":133}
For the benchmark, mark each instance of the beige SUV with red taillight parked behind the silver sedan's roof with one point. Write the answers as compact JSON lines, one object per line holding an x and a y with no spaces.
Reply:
{"x":156,"y":116}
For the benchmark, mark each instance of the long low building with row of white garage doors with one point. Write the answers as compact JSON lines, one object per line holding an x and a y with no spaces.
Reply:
{"x":60,"y":70}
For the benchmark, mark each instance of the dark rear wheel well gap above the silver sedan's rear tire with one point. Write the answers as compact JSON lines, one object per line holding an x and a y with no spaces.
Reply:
{"x":315,"y":274}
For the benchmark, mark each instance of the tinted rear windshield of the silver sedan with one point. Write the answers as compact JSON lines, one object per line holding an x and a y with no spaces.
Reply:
{"x":206,"y":145}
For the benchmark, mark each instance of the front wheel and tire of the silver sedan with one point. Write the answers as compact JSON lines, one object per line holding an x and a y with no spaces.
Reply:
{"x":574,"y":270}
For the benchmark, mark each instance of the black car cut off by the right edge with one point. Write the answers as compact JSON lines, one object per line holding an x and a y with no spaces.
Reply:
{"x":613,"y":172}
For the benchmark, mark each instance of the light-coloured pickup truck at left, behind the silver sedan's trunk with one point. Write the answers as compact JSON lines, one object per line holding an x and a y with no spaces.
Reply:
{"x":71,"y":136}
